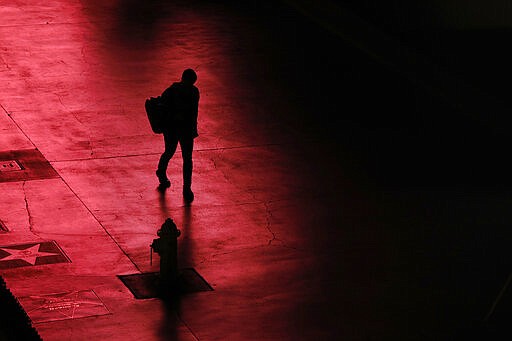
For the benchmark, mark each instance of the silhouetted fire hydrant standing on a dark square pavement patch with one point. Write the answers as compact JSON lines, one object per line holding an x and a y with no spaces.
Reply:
{"x":167,"y":248}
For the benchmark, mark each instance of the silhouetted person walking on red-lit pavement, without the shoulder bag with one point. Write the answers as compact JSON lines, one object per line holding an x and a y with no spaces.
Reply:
{"x":181,"y":100}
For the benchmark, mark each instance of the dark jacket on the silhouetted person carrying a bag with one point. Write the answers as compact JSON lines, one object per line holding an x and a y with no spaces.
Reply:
{"x":182,"y":101}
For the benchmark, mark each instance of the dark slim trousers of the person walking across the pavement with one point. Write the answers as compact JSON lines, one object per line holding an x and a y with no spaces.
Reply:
{"x":171,"y":143}
